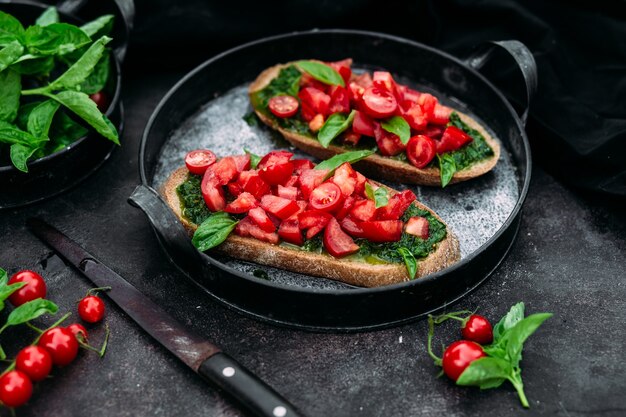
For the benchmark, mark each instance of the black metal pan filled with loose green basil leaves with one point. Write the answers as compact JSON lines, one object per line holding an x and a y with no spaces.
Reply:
{"x":53,"y":174}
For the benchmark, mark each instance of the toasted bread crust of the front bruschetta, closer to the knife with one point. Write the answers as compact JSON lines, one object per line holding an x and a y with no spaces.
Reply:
{"x":346,"y":270}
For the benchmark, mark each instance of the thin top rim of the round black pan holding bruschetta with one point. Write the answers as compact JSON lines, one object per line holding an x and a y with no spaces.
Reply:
{"x":352,"y":291}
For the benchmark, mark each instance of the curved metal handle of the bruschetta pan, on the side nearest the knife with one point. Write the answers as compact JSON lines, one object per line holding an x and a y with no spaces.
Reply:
{"x":169,"y":230}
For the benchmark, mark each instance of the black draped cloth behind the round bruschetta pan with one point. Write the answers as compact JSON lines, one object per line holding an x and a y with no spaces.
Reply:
{"x":578,"y":117}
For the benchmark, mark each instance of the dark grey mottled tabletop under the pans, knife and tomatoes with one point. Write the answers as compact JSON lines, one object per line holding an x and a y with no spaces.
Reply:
{"x":569,"y":258}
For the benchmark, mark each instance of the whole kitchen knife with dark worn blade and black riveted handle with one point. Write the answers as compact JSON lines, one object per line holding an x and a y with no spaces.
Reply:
{"x":200,"y":355}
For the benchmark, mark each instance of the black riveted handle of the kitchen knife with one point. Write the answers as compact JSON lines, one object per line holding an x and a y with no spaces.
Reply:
{"x":256,"y":396}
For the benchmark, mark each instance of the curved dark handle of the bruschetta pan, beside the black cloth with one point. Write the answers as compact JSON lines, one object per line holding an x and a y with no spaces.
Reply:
{"x":523,"y":57}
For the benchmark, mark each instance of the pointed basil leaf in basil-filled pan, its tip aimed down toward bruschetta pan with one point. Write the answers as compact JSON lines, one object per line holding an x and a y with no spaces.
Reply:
{"x":85,"y":108}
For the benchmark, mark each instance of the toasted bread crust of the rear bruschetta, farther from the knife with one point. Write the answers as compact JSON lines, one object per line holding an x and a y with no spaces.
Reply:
{"x":378,"y":165}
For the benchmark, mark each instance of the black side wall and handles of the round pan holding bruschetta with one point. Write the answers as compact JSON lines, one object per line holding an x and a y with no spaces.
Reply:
{"x":338,"y":309}
